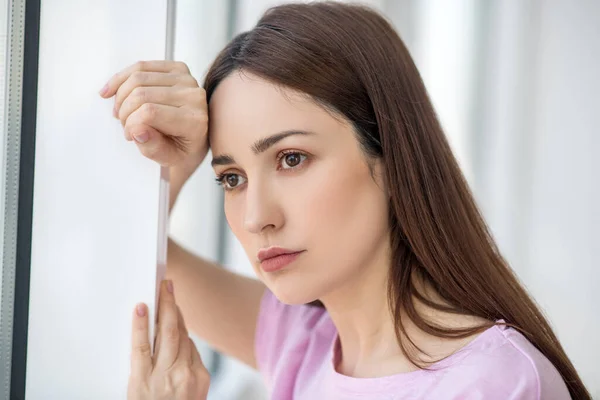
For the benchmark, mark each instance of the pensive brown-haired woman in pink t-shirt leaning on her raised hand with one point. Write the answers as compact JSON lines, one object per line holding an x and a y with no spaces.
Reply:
{"x":378,"y":276}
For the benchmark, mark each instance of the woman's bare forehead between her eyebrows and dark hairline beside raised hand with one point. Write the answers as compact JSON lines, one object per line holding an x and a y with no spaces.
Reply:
{"x":246,"y":107}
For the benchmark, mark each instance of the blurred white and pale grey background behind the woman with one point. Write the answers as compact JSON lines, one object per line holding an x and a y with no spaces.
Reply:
{"x":515,"y":84}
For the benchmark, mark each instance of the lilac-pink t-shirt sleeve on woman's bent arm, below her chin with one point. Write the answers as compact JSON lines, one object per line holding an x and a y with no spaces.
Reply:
{"x":282,"y":334}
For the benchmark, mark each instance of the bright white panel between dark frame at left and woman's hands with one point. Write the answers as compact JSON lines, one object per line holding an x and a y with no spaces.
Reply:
{"x":95,"y":213}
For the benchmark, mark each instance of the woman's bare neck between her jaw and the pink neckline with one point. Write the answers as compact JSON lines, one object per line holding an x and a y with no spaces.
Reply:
{"x":366,"y":327}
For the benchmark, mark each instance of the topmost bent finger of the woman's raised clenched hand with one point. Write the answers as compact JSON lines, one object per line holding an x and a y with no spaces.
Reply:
{"x":150,"y":79}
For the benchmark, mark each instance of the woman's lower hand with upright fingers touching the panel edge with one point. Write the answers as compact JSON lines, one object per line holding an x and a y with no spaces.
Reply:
{"x":175,"y":371}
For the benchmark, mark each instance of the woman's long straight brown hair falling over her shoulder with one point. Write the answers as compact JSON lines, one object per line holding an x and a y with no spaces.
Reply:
{"x":349,"y":59}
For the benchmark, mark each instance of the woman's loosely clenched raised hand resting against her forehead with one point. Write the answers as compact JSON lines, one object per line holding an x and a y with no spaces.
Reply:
{"x":162,"y":109}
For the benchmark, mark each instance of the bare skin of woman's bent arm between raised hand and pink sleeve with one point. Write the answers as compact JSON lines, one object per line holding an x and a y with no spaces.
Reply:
{"x":219,"y":306}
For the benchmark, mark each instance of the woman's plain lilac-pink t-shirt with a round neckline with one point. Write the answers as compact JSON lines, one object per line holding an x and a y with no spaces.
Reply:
{"x":296,"y":347}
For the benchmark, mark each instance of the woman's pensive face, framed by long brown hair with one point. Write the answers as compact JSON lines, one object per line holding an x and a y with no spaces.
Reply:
{"x":295,"y":177}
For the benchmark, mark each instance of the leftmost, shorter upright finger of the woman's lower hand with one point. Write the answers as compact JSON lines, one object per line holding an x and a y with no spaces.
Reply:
{"x":141,"y":360}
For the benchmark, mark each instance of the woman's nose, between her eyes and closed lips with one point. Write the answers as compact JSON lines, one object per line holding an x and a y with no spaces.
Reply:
{"x":262,"y":210}
